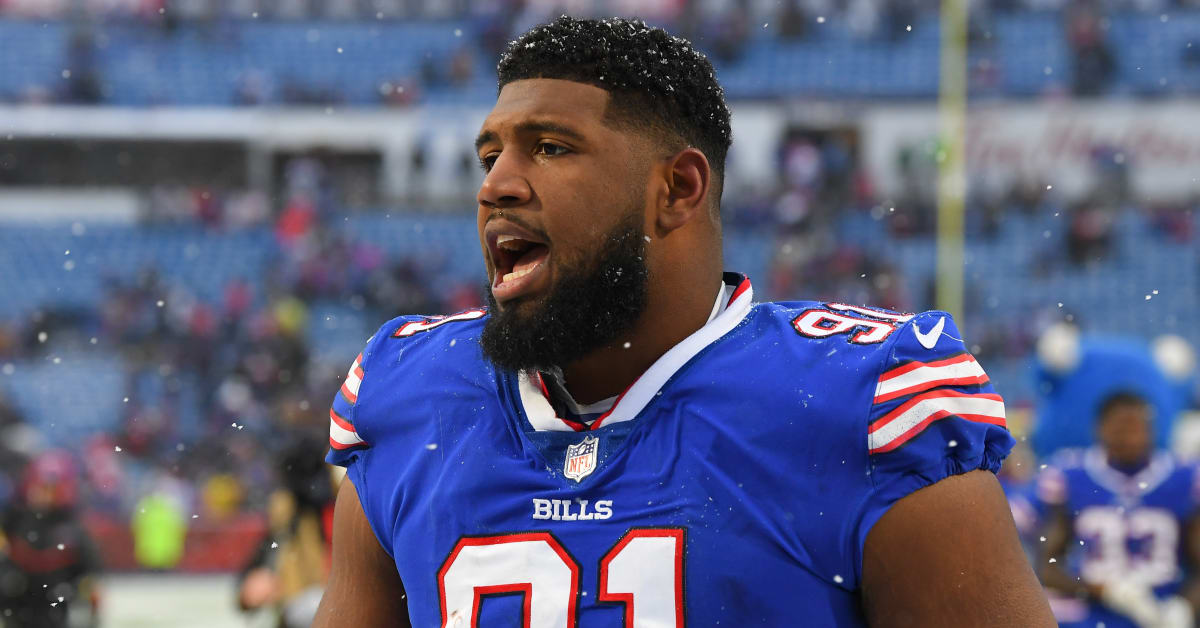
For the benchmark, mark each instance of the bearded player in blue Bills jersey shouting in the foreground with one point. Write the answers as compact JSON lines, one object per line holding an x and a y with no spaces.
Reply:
{"x":623,"y":436}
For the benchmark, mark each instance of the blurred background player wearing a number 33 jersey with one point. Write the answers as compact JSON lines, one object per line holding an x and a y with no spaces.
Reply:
{"x":1120,"y":517}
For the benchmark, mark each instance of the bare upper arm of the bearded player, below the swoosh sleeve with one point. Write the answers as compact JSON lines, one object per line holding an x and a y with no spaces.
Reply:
{"x":949,"y":555}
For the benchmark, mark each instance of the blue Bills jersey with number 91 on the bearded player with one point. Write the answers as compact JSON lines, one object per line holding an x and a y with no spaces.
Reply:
{"x":733,"y":485}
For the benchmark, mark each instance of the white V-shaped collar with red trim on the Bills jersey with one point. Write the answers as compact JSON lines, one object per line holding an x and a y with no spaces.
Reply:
{"x":629,"y":404}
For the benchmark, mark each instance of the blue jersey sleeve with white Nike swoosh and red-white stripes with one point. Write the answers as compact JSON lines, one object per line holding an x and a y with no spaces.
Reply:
{"x":934,"y":415}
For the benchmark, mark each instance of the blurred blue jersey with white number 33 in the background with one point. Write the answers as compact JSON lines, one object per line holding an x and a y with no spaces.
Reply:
{"x":1125,"y":527}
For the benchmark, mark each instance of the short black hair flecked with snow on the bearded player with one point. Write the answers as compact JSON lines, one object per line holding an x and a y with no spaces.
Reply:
{"x":657,"y":81}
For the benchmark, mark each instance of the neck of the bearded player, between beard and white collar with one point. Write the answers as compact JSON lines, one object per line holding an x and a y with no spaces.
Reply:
{"x":667,"y":322}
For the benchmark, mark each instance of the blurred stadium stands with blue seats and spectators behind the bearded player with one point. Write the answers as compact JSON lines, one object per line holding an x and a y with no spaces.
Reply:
{"x":207,"y":207}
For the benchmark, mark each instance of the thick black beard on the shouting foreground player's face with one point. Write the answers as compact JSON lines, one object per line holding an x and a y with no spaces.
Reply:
{"x":593,"y":303}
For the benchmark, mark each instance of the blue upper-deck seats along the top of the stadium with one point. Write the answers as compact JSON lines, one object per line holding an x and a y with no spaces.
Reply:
{"x":214,"y":64}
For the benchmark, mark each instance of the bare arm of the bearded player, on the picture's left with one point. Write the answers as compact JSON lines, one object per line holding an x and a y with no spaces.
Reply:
{"x":364,"y":589}
